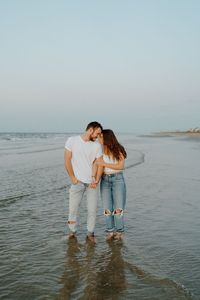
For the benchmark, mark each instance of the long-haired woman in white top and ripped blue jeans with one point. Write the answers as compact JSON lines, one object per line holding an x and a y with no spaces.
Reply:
{"x":112,"y":187}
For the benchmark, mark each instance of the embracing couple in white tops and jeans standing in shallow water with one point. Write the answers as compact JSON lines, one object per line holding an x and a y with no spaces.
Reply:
{"x":96,"y":157}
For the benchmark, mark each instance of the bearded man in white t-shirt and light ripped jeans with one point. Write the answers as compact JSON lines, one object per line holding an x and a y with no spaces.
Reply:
{"x":80,"y":153}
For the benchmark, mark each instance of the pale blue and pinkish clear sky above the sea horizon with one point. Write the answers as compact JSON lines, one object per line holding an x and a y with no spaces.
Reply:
{"x":131,"y":65}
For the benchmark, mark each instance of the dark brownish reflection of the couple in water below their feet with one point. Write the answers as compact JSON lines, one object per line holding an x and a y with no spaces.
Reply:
{"x":91,"y":276}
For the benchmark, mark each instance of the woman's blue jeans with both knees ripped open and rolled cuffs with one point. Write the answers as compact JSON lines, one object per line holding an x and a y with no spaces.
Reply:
{"x":113,"y":194}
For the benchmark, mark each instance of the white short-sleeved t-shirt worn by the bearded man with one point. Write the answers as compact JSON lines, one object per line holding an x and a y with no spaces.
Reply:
{"x":83,"y":156}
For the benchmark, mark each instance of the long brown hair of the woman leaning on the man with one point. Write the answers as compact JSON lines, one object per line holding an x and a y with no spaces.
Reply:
{"x":113,"y":147}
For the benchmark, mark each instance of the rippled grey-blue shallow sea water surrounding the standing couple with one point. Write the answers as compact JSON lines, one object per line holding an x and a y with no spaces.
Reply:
{"x":159,"y":257}
